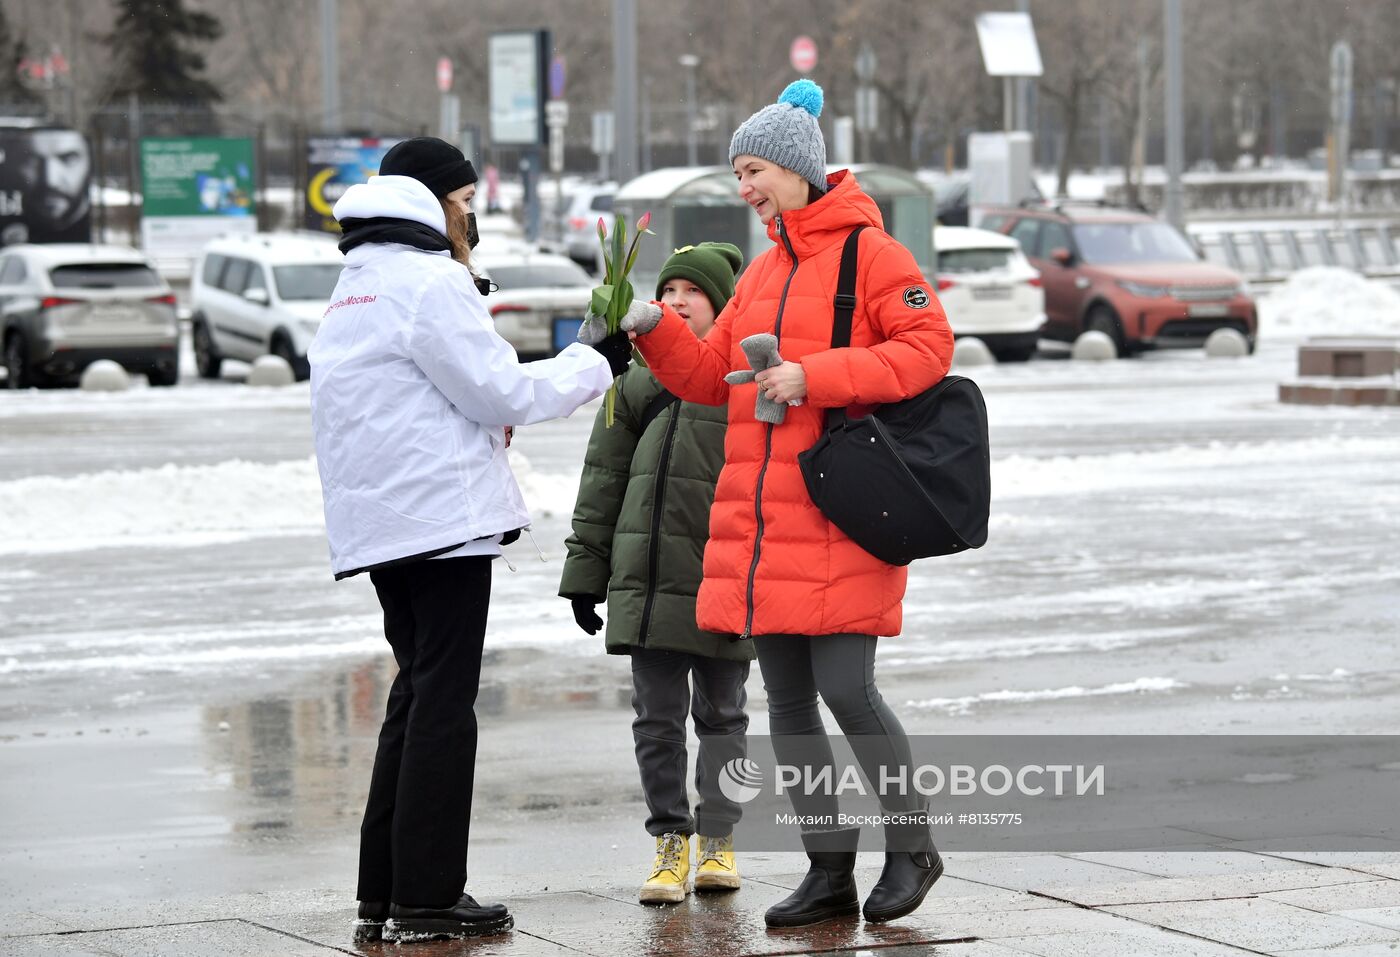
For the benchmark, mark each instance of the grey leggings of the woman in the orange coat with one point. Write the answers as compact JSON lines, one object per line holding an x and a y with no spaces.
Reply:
{"x":842,"y":671}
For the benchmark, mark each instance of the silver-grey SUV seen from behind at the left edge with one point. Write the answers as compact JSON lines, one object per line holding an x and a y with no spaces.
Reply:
{"x":66,"y":306}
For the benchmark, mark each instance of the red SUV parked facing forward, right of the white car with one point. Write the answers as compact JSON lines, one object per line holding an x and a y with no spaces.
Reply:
{"x":1126,"y":275}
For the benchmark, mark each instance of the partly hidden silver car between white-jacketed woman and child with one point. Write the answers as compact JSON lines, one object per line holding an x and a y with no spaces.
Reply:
{"x":540,"y":303}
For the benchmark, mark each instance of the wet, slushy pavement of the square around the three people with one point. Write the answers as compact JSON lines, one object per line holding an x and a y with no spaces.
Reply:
{"x":188,"y":710}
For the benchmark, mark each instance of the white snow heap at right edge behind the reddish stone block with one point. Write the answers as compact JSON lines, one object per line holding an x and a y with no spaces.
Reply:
{"x":1329,"y":302}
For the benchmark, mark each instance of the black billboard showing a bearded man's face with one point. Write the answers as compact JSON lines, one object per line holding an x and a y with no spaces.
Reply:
{"x":45,"y":185}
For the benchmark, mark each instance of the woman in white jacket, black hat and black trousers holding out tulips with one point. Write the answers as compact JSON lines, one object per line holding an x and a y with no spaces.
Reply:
{"x":412,"y":394}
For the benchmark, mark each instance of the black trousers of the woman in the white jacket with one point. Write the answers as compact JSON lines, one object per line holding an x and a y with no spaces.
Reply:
{"x":416,"y":821}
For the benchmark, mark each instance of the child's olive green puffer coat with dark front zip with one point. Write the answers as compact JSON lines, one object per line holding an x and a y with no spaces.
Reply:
{"x":642,"y":521}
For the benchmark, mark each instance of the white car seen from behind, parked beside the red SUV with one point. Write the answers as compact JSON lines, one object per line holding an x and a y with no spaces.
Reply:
{"x":990,"y":290}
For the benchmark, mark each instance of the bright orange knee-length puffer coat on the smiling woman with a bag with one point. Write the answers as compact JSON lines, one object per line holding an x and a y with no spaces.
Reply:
{"x":773,"y":563}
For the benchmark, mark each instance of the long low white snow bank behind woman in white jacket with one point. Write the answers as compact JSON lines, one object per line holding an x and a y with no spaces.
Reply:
{"x":197,"y":504}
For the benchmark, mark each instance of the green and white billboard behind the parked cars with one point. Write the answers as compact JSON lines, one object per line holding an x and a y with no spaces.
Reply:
{"x":195,"y":190}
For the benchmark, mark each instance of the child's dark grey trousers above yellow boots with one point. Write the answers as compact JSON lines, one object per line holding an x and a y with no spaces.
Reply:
{"x":661,"y":697}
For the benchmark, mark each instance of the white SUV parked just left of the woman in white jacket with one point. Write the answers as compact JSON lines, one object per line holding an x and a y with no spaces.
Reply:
{"x":261,"y":295}
